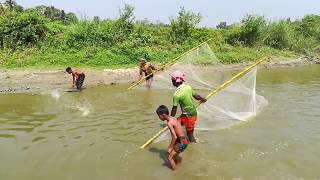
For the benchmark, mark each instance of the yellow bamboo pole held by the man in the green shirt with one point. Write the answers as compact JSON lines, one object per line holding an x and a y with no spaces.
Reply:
{"x":224,"y":85}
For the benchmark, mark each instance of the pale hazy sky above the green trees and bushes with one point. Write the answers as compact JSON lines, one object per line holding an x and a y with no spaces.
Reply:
{"x":212,"y":11}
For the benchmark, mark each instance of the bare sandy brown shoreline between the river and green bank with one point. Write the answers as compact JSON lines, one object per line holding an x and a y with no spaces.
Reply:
{"x":36,"y":81}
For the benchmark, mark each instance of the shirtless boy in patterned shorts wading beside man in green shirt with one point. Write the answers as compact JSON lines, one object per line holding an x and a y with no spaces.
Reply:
{"x":179,"y":141}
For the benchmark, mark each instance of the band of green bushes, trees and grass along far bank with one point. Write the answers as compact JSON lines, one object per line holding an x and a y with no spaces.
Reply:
{"x":43,"y":36}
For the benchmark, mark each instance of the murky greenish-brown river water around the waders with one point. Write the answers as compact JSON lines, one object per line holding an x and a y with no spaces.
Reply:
{"x":96,"y":134}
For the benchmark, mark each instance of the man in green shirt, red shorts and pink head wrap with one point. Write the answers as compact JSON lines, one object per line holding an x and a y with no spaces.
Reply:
{"x":183,"y":96}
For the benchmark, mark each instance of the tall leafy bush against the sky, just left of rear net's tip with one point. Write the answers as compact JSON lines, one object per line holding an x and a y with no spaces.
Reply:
{"x":183,"y":25}
